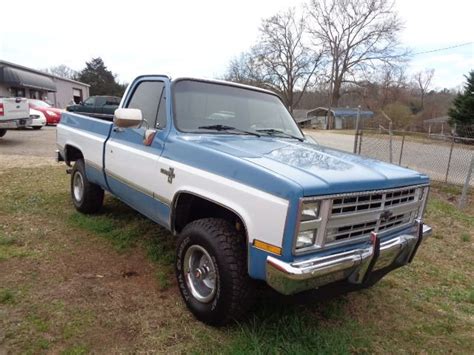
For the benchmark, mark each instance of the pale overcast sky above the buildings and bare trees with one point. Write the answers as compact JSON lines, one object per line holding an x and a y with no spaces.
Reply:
{"x":199,"y":38}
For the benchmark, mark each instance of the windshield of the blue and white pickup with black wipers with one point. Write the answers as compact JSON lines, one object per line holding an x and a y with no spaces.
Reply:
{"x":201,"y":106}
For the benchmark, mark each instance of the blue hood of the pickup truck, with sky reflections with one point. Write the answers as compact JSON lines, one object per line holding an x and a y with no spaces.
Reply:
{"x":279,"y":166}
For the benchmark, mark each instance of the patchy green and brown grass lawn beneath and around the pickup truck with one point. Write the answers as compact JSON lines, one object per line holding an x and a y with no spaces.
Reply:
{"x":75,"y":284}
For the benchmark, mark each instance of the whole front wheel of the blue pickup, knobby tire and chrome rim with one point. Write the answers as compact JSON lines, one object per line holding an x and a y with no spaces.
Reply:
{"x":211,"y":269}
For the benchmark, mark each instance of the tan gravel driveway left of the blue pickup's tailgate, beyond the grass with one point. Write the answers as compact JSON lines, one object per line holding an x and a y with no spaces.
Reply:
{"x":28,"y":148}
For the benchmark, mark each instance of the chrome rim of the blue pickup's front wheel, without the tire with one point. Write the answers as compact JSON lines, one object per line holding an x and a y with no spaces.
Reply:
{"x":200,"y":273}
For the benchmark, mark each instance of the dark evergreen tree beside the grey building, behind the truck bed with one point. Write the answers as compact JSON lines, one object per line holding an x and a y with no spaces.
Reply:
{"x":101,"y":79}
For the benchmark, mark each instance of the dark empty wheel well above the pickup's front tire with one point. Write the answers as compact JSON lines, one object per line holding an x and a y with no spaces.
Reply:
{"x":189,"y":207}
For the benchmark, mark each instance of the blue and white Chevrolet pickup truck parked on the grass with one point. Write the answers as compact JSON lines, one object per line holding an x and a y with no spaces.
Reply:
{"x":225,"y":168}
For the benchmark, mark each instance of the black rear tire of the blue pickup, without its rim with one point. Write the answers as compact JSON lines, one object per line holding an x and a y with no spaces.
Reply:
{"x":92,"y":197}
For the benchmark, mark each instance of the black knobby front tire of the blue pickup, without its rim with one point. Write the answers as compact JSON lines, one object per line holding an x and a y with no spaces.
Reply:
{"x":227,"y":249}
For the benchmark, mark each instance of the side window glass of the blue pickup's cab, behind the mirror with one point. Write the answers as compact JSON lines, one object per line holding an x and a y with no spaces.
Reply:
{"x":146,"y":97}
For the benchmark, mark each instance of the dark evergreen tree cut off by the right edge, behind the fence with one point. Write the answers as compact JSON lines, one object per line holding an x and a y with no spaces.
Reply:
{"x":462,"y":111}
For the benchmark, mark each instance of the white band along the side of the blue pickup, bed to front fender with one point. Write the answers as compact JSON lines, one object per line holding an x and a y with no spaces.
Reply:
{"x":264,"y":214}
